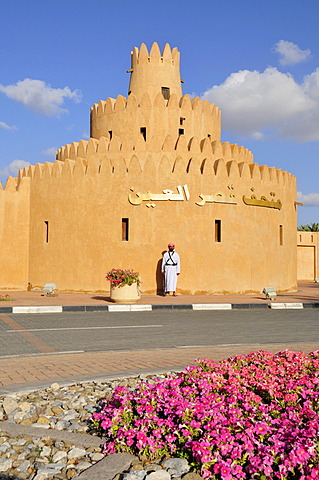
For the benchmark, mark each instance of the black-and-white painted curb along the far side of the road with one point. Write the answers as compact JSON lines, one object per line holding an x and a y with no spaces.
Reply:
{"x":150,"y":308}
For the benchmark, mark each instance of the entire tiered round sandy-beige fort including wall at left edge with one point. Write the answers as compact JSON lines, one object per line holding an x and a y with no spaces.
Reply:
{"x":153,"y":171}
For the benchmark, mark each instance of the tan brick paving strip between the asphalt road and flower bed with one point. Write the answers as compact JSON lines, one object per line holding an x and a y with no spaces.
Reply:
{"x":26,"y":372}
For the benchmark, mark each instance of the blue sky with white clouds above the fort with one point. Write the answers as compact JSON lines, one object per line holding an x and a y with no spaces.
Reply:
{"x":257,"y":60}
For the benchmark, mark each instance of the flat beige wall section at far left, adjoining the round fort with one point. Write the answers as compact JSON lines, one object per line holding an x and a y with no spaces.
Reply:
{"x":14,"y":234}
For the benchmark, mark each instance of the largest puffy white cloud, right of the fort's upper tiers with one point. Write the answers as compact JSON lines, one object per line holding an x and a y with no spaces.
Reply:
{"x":266,"y":103}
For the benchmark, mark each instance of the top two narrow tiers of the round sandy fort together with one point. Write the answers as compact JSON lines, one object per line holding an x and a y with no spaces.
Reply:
{"x":155,"y":105}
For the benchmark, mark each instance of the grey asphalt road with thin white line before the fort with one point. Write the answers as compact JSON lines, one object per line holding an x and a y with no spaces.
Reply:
{"x":99,"y":331}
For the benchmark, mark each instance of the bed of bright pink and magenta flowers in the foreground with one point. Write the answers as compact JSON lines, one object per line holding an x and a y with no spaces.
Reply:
{"x":248,"y":417}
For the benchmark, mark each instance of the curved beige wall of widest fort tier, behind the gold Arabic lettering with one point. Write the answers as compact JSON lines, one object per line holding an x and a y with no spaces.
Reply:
{"x":86,"y":241}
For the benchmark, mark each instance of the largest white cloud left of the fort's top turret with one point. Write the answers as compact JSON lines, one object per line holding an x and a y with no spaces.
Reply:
{"x":40,"y":97}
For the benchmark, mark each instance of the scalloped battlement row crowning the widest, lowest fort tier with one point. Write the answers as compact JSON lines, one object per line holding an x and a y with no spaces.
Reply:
{"x":219,"y":169}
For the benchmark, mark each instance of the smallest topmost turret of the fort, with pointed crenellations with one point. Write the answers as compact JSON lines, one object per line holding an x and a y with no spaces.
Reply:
{"x":153,"y":72}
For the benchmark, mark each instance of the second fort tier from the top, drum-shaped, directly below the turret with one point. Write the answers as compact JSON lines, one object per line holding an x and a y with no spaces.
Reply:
{"x":149,"y":116}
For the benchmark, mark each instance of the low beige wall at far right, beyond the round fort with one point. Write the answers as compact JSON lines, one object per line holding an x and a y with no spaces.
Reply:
{"x":307,"y":256}
